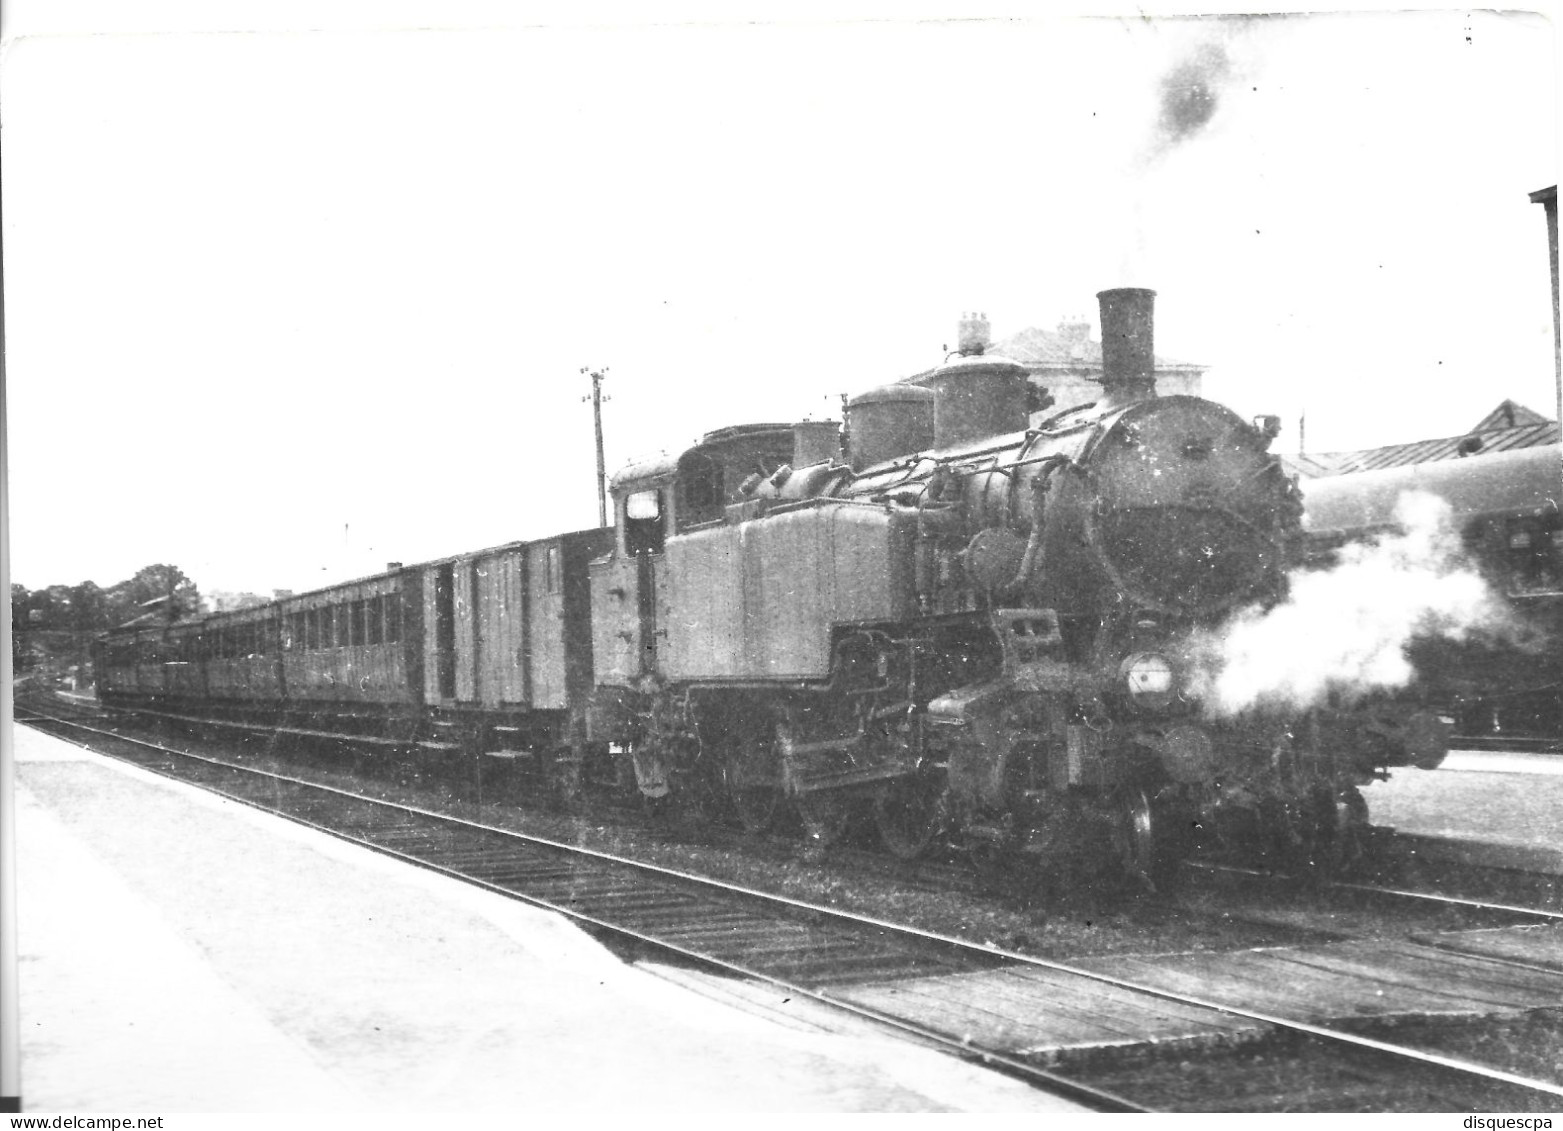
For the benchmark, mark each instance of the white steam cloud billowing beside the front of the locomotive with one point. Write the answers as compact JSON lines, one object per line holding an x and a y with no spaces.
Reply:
{"x":1345,"y":630}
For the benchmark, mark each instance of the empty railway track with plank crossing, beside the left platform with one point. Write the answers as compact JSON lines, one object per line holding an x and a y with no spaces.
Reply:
{"x":1111,"y":1035}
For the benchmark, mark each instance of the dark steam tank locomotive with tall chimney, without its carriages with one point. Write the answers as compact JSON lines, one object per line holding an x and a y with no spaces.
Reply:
{"x":978,"y":629}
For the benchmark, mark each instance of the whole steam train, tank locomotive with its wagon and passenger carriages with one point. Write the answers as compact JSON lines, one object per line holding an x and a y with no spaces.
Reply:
{"x":970,"y":627}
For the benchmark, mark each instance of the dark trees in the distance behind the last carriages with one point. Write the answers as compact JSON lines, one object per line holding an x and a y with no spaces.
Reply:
{"x":52,"y":629}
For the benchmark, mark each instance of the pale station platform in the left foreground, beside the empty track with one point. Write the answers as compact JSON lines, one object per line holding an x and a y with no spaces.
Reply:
{"x":185,"y":954}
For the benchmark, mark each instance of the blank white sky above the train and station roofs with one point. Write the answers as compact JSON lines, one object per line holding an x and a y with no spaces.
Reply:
{"x":298,"y":290}
